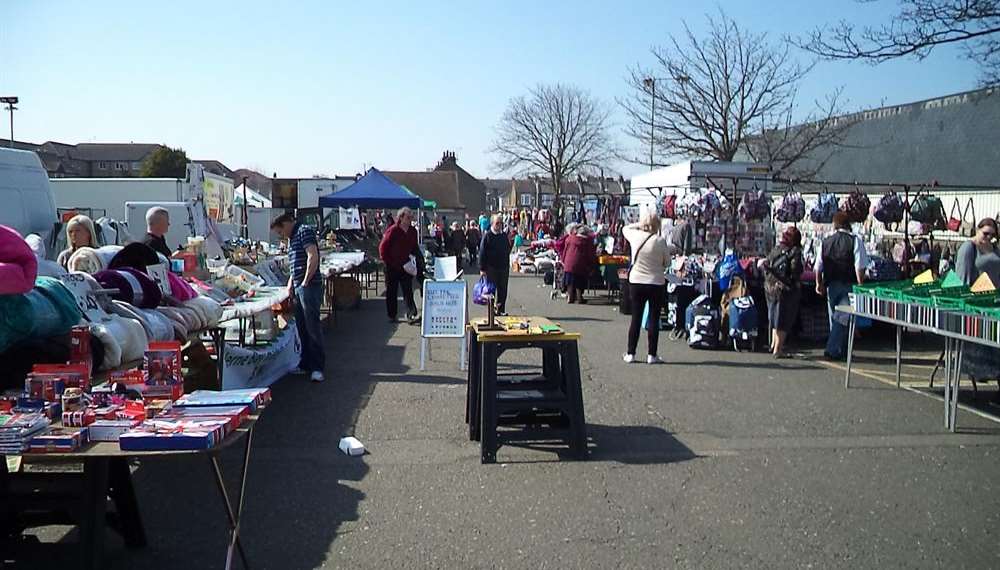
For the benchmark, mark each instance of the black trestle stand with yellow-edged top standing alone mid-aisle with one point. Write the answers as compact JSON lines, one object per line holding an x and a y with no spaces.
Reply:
{"x":555,"y":399}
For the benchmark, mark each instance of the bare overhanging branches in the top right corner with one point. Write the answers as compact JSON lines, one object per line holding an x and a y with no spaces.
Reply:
{"x":919,"y":27}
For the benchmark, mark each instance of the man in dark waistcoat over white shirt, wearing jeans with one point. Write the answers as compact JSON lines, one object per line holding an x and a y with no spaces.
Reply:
{"x":840,"y":264}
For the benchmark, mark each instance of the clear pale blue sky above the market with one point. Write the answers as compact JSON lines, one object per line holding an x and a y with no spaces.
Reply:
{"x":301,"y":88}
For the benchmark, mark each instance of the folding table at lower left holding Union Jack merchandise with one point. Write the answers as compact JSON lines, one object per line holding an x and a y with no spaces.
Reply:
{"x":106,"y":473}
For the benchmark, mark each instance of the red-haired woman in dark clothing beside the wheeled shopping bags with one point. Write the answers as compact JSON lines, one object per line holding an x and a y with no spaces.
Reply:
{"x":782,"y":287}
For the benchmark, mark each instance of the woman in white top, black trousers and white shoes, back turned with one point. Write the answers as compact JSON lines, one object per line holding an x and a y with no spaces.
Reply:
{"x":646,"y":277}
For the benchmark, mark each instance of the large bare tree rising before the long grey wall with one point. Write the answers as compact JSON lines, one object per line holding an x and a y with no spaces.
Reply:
{"x":730,"y":92}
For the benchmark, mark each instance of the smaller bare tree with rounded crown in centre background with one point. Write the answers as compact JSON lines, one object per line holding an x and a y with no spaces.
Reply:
{"x":558,"y":130}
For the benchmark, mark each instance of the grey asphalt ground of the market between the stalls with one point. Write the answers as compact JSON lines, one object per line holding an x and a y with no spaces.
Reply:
{"x":715,"y":459}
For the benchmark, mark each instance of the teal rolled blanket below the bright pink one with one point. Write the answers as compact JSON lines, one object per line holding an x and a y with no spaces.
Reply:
{"x":47,"y":310}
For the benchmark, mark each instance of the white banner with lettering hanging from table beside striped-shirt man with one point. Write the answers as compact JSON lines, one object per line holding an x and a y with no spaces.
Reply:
{"x":257,"y":367}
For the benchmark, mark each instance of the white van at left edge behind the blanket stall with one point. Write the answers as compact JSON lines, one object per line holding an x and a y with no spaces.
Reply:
{"x":26,"y":202}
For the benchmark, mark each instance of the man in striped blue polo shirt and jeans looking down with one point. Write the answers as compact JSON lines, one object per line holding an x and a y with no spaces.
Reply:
{"x":305,"y":287}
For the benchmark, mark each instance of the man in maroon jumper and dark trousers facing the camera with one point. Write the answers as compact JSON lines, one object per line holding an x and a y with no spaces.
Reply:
{"x":395,"y":249}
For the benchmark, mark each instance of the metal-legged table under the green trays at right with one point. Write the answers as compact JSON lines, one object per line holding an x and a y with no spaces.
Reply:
{"x":956,"y":329}
